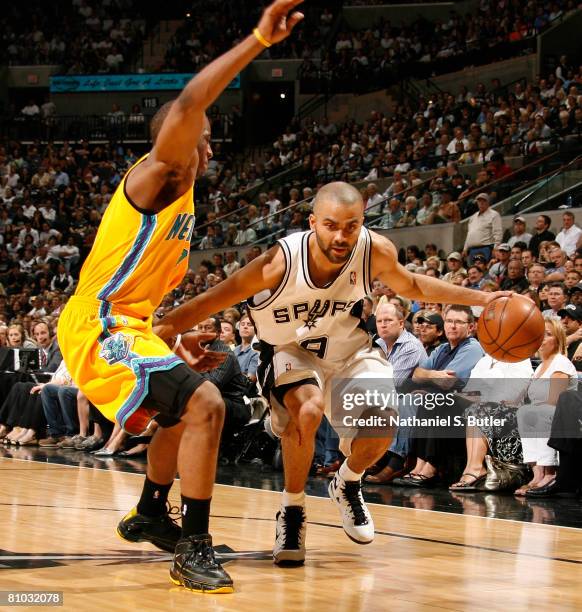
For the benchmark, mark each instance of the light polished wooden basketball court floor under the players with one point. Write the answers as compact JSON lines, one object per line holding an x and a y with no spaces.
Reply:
{"x":57,"y":532}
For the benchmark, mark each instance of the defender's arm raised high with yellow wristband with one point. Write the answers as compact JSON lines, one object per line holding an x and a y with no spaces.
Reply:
{"x":174,"y":157}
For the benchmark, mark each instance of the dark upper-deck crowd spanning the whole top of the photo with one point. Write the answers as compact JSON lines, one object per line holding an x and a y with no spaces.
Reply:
{"x":104,"y":37}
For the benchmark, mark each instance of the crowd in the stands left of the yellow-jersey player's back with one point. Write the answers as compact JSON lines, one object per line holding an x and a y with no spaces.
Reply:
{"x":51,"y":202}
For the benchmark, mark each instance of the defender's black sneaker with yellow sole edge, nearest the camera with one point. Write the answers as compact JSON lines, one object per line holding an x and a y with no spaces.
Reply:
{"x":195,"y":567}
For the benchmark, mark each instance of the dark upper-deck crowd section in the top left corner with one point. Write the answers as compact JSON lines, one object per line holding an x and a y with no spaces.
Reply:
{"x":82,"y":36}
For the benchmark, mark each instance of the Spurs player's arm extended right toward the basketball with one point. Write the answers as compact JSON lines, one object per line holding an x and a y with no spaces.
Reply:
{"x":385,"y":266}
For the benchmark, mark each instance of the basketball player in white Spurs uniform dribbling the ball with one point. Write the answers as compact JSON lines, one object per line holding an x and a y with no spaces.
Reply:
{"x":305,"y":295}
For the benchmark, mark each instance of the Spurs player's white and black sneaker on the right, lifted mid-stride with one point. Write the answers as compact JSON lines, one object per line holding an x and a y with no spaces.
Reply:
{"x":356,"y":518}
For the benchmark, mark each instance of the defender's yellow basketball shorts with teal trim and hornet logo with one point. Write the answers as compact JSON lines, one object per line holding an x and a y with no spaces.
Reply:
{"x":114,"y":358}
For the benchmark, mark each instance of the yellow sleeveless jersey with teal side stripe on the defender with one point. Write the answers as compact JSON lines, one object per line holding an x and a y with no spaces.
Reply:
{"x":138,"y":257}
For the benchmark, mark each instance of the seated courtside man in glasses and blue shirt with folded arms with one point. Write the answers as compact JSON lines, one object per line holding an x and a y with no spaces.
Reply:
{"x":447,"y":369}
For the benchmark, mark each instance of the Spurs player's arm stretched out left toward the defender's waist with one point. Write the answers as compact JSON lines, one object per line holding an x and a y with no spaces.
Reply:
{"x":264,"y":272}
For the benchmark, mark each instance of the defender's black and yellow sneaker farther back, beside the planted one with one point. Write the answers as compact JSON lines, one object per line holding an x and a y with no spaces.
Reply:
{"x":162,"y":531}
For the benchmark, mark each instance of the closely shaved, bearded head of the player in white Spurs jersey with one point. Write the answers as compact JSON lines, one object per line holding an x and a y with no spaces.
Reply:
{"x":338,"y":215}
